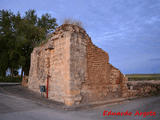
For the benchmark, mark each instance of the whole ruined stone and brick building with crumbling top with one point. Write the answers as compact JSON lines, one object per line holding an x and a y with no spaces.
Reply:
{"x":78,"y":71}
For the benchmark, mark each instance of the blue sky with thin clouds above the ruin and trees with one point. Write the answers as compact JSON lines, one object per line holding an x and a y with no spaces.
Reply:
{"x":129,"y":30}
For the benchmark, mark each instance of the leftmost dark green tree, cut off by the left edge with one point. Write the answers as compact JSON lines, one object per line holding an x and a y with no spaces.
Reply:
{"x":6,"y":35}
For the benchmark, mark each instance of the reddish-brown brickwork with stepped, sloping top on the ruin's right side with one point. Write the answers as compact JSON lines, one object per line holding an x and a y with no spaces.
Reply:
{"x":103,"y":80}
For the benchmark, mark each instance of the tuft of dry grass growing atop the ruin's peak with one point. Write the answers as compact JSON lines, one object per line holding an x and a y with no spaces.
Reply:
{"x":73,"y":22}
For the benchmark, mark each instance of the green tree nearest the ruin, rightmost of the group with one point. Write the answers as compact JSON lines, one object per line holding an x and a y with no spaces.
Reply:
{"x":34,"y":31}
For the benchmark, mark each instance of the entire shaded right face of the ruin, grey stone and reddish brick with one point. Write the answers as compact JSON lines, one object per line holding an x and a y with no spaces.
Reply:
{"x":92,"y":77}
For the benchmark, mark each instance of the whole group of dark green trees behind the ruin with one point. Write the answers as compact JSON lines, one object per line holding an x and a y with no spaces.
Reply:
{"x":18,"y":36}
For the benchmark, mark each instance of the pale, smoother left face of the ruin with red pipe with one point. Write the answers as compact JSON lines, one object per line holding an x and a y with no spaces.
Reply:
{"x":52,"y":60}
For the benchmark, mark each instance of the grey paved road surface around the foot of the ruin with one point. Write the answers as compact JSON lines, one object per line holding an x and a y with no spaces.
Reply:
{"x":18,"y":103}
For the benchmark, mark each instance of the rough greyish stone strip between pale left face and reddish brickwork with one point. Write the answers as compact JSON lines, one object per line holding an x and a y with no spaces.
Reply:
{"x":78,"y":63}
